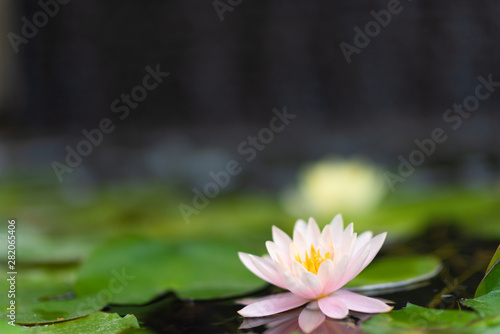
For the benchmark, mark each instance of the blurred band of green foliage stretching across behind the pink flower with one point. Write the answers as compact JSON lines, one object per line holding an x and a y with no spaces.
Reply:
{"x":52,"y":227}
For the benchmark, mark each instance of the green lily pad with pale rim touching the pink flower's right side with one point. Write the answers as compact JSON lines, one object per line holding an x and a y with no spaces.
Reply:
{"x":393,"y":272}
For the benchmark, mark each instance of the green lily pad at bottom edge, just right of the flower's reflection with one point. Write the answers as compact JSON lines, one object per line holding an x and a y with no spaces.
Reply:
{"x":416,"y":319}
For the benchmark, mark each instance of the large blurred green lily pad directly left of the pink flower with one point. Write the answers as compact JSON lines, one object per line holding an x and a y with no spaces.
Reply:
{"x":136,"y":270}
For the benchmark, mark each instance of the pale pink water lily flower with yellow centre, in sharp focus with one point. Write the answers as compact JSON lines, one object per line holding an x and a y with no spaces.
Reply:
{"x":314,"y":266}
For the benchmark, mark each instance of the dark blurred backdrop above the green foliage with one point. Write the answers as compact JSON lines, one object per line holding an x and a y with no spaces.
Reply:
{"x":227,"y":76}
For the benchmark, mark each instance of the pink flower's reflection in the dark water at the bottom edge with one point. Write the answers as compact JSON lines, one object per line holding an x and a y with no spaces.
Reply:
{"x":311,"y":321}
